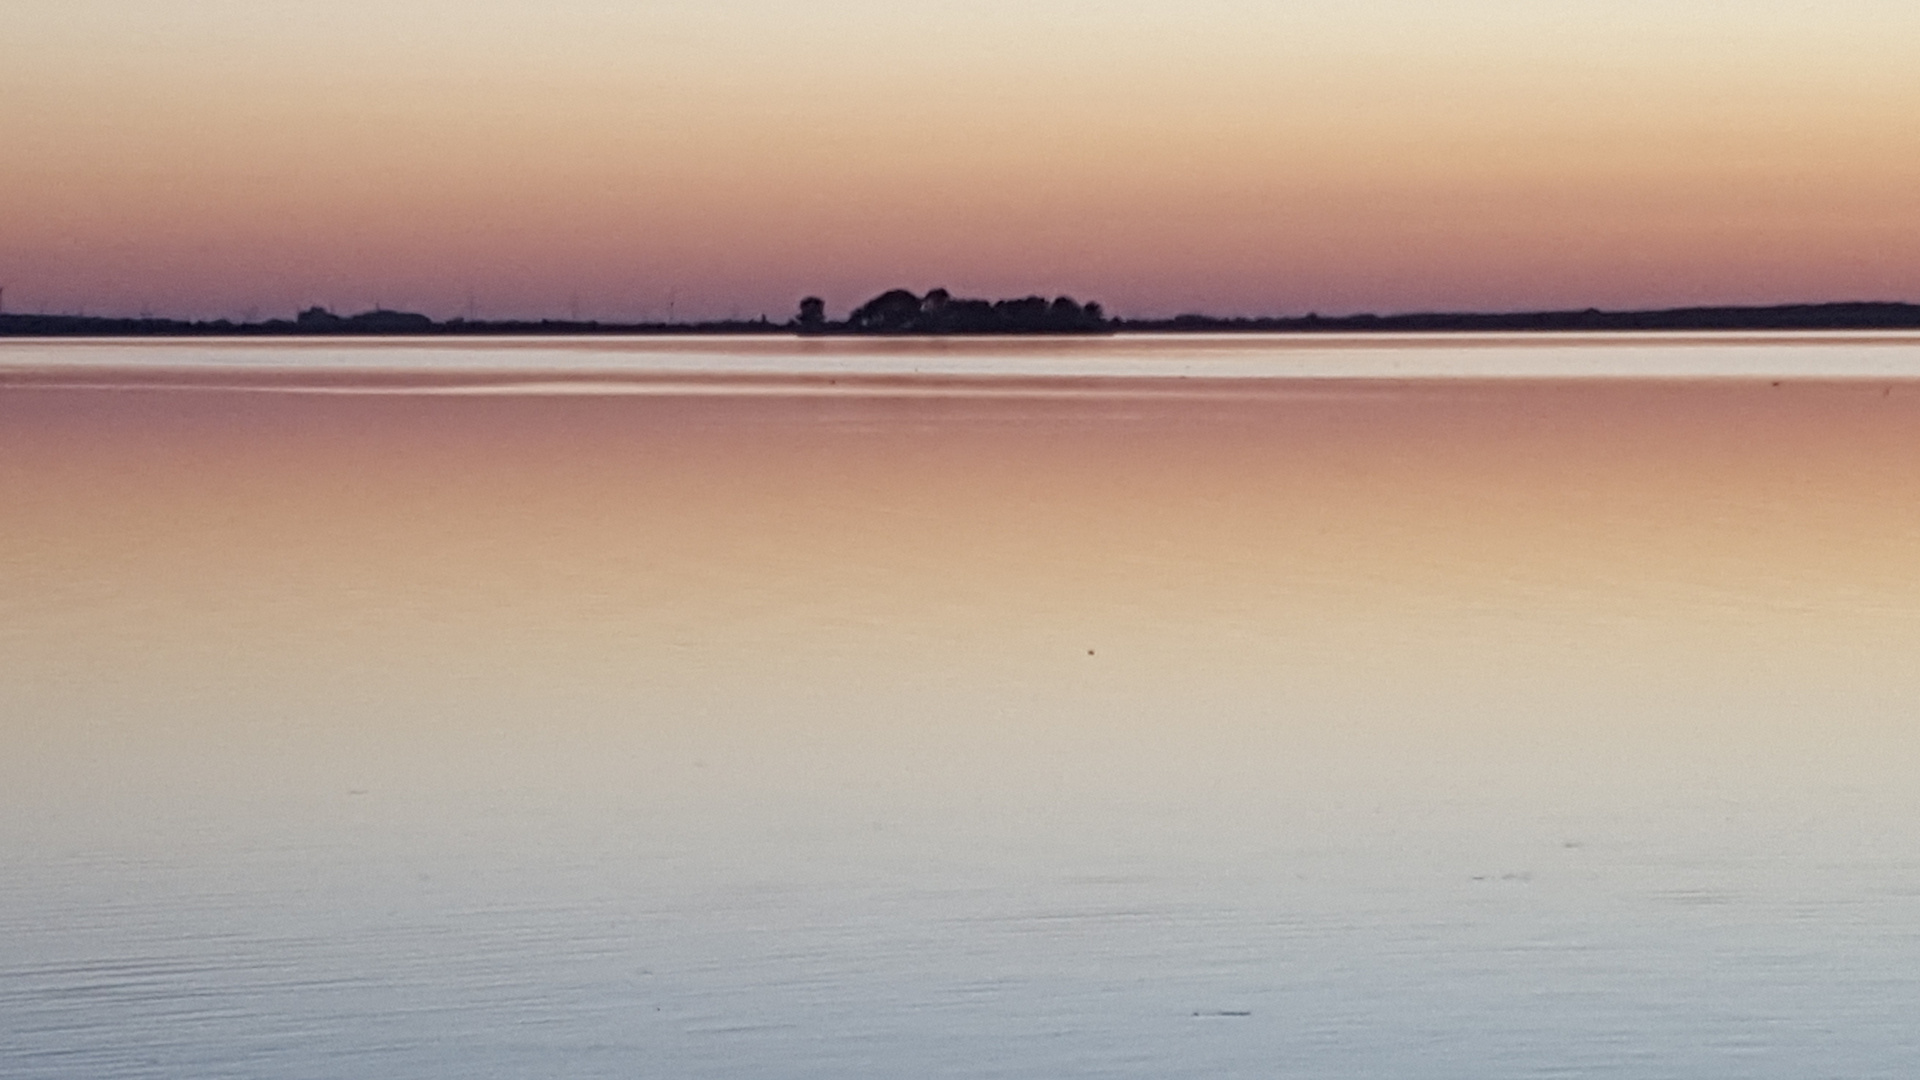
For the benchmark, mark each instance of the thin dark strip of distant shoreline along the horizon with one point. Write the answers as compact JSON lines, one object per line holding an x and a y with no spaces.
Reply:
{"x":1854,"y":316}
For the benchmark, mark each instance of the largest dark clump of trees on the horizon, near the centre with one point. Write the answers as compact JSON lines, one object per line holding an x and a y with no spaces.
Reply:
{"x":901,"y":312}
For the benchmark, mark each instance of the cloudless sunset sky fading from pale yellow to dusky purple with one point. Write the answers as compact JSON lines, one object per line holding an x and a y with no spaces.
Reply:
{"x":675,"y":159}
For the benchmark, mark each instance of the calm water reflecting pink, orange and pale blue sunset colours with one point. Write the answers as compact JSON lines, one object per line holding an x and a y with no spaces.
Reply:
{"x":1211,"y":708}
